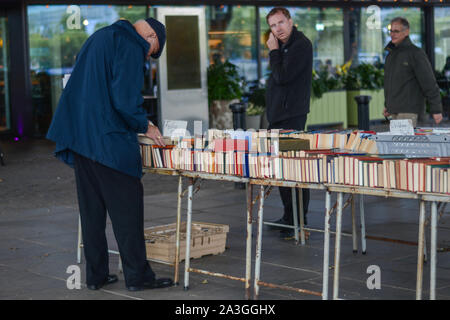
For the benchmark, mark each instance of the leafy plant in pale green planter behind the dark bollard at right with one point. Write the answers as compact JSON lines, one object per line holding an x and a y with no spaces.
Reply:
{"x":364,"y":79}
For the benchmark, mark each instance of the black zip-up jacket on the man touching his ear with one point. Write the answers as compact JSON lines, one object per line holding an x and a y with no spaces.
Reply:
{"x":289,"y":85}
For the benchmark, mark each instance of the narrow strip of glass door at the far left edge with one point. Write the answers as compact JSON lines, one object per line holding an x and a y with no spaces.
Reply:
{"x":5,"y":123}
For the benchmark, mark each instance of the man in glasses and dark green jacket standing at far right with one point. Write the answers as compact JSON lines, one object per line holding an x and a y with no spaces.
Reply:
{"x":408,"y":77}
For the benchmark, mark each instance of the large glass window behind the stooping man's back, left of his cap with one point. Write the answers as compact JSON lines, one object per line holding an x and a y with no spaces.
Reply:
{"x":56,"y":34}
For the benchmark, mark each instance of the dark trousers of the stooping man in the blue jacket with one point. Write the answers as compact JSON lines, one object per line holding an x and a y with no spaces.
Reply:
{"x":101,"y":189}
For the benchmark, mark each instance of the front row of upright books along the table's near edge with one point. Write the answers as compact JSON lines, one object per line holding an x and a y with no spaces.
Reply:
{"x":333,"y":166}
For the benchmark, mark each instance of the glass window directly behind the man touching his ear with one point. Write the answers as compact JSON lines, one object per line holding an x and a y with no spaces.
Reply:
{"x":323,"y":26}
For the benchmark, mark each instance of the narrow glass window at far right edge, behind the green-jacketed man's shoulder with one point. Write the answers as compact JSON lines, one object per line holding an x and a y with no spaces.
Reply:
{"x":442,"y":40}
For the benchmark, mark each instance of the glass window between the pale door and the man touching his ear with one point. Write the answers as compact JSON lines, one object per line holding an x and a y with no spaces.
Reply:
{"x":231,"y":35}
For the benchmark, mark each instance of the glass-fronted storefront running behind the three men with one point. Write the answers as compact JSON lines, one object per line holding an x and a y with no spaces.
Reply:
{"x":54,"y":32}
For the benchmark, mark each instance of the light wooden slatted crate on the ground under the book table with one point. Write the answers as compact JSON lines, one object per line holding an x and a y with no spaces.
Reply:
{"x":206,"y":238}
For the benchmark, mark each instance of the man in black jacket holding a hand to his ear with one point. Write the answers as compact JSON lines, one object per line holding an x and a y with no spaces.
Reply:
{"x":288,"y":88}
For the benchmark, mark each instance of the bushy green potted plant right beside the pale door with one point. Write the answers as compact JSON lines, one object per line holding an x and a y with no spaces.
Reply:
{"x":223,"y":89}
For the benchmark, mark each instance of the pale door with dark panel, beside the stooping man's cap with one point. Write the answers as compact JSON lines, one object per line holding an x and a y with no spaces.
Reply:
{"x":182,"y":84}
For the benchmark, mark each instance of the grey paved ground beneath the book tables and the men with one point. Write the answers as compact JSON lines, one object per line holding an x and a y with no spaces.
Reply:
{"x":38,"y":236}
